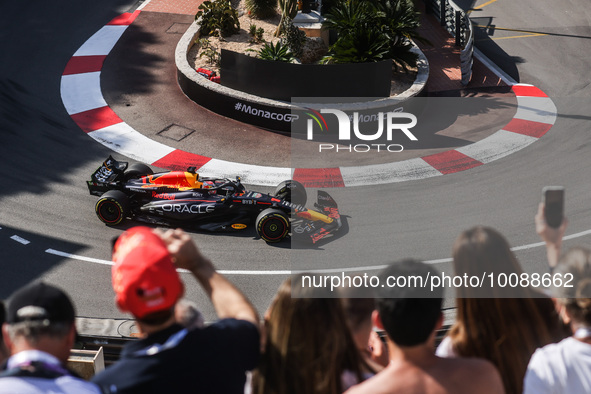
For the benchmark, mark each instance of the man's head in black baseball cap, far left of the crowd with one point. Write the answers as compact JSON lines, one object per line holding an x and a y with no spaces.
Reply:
{"x":40,"y":316}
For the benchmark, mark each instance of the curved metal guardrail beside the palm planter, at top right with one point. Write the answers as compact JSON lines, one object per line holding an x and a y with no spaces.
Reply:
{"x":457,"y":22}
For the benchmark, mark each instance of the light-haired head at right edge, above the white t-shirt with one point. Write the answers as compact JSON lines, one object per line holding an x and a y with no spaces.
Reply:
{"x":575,"y":268}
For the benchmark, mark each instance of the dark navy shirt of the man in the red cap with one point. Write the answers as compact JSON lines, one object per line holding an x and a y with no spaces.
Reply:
{"x":213,"y":359}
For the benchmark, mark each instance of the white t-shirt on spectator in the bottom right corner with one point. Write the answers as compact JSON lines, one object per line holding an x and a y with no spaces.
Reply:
{"x":563,"y":367}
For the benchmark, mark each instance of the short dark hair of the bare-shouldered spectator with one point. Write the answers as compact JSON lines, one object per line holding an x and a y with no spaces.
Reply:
{"x":409,"y":314}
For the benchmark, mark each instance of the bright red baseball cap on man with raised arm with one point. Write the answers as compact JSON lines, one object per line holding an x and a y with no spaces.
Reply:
{"x":144,"y":277}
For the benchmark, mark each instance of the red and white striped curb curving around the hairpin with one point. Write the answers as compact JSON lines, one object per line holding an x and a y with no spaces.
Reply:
{"x":82,"y":97}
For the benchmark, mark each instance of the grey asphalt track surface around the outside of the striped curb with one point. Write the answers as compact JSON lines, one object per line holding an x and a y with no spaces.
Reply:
{"x":46,"y":159}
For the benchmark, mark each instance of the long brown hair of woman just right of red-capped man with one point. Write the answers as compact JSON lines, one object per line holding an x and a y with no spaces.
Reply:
{"x":308,"y":344}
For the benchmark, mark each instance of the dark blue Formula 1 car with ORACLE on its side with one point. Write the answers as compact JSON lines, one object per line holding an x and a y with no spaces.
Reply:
{"x":184,"y":199}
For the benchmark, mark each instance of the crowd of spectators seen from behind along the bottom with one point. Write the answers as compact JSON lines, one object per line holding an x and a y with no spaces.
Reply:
{"x":517,"y":341}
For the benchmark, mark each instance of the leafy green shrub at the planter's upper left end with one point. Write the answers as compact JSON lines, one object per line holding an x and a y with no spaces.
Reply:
{"x":218,"y":18}
